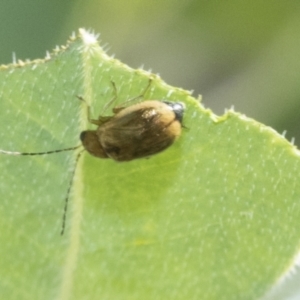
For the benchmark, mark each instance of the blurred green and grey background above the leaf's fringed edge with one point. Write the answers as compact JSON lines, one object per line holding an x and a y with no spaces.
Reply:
{"x":240,"y":53}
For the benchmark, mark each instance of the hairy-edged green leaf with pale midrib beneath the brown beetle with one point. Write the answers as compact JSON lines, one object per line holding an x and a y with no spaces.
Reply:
{"x":216,"y":216}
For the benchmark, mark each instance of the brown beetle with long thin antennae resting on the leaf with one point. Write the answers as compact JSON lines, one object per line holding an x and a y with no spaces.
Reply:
{"x":139,"y":130}
